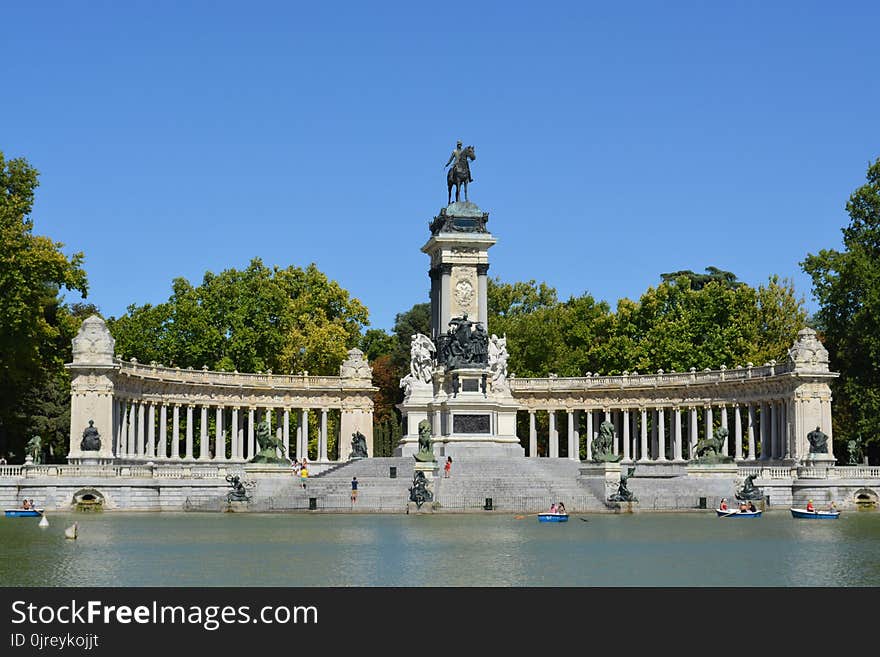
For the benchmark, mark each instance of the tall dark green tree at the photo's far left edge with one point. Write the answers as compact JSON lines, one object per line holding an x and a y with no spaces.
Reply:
{"x":35,"y":326}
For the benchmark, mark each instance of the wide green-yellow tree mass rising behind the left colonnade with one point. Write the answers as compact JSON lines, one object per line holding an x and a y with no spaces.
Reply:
{"x":259,"y":319}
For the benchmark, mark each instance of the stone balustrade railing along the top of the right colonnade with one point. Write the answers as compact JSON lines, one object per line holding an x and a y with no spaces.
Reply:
{"x":693,"y":377}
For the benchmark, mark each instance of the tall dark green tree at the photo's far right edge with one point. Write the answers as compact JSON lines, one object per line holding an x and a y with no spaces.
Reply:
{"x":847,"y":286}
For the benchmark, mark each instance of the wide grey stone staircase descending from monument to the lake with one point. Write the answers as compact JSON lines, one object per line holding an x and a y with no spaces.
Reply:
{"x":514,"y":484}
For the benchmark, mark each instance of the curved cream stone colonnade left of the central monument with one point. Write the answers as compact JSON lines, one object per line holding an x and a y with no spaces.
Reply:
{"x":162,"y":414}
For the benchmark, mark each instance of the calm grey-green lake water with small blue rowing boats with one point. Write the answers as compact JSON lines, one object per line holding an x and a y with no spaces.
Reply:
{"x":491,"y":549}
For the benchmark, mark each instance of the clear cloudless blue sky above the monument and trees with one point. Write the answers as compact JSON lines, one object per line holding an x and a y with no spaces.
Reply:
{"x":615,"y":140}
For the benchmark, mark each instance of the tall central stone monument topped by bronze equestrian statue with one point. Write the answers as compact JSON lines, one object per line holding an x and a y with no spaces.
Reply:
{"x":458,"y":375}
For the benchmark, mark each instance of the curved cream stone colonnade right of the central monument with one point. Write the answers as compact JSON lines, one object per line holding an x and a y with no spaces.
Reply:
{"x":767,"y":411}
